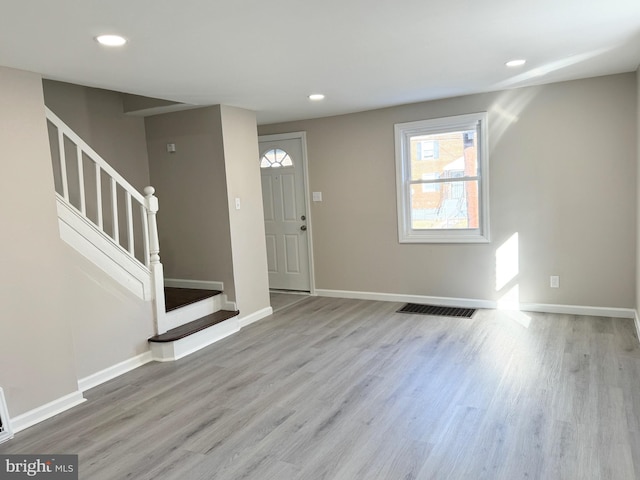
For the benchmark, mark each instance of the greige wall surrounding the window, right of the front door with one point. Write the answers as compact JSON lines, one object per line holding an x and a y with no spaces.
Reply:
{"x":562,"y":176}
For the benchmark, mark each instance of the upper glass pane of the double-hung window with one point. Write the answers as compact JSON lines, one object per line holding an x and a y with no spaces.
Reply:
{"x":444,"y":155}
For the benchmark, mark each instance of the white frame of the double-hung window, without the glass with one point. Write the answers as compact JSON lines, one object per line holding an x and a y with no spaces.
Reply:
{"x":403,"y":133}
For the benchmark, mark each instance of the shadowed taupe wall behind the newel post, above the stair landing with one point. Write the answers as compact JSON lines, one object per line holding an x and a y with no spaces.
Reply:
{"x":193,"y":221}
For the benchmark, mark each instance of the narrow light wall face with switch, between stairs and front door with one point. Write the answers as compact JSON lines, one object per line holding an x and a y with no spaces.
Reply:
{"x":240,"y":137}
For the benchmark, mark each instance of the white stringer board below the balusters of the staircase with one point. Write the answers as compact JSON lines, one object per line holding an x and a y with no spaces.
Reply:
{"x":79,"y":232}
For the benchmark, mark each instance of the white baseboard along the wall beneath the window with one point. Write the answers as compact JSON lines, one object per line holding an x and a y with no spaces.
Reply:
{"x":478,"y":303}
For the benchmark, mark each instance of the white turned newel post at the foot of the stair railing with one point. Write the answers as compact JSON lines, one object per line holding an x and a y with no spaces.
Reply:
{"x":157,"y":273}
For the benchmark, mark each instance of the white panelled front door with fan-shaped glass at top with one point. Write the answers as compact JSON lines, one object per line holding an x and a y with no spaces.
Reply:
{"x":285,"y":211}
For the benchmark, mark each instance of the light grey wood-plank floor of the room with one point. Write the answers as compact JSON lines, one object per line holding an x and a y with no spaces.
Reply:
{"x":348,"y":389}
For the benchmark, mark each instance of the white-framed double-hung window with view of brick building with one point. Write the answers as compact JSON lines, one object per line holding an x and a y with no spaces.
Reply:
{"x":442,"y":183}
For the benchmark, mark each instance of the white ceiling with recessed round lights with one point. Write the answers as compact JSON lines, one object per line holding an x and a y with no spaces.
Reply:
{"x":267,"y":56}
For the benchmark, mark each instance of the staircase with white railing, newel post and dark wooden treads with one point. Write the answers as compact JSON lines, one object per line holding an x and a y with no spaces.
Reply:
{"x":113,"y":225}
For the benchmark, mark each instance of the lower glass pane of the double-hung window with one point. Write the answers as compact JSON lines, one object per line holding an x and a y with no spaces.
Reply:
{"x":453,"y":206}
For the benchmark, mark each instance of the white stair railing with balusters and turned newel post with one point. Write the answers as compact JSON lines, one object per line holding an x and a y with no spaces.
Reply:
{"x":71,"y":190}
